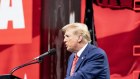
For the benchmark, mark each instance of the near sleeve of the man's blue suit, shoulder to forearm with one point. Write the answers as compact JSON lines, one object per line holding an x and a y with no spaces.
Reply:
{"x":93,"y":65}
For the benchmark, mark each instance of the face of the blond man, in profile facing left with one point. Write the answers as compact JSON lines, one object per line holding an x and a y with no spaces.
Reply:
{"x":70,"y":40}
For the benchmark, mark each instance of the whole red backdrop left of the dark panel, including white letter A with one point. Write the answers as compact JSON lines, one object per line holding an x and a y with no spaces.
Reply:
{"x":19,"y":42}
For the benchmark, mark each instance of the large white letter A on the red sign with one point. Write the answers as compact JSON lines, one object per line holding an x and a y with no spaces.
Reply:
{"x":13,"y":13}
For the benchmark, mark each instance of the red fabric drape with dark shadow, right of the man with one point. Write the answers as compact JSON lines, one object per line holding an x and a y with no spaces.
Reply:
{"x":117,"y":32}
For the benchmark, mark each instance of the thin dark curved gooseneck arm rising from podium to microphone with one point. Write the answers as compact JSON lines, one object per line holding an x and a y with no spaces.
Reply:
{"x":34,"y":61}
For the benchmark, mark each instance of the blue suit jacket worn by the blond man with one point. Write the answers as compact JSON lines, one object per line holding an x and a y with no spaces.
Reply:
{"x":92,"y":64}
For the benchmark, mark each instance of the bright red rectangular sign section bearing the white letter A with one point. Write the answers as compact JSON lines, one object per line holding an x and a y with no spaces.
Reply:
{"x":15,"y":21}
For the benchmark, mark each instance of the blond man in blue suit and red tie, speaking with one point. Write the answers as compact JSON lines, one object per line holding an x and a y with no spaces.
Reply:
{"x":86,"y":61}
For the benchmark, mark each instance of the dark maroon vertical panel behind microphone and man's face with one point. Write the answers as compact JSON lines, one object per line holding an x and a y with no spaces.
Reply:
{"x":55,"y":14}
